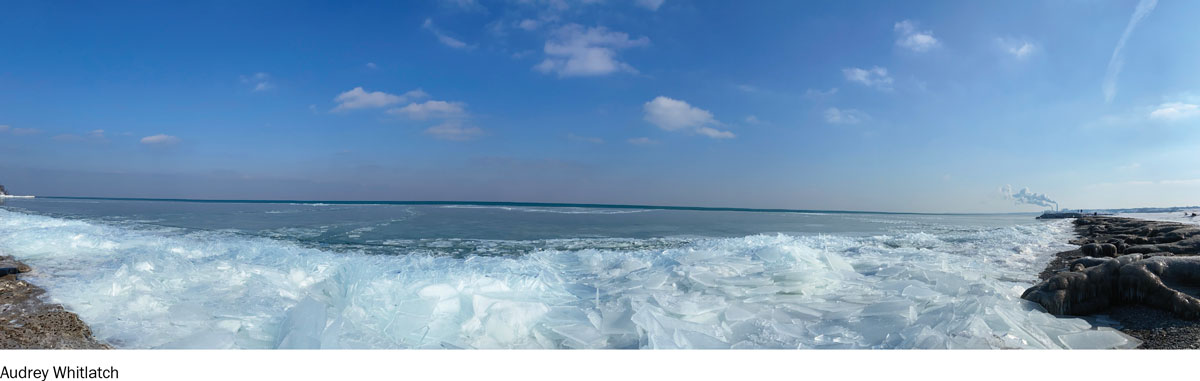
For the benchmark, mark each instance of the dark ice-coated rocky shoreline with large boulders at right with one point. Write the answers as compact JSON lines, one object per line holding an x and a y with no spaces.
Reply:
{"x":1142,"y":277}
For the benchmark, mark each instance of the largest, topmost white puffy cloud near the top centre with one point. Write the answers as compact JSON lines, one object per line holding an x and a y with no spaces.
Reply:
{"x":575,"y":51}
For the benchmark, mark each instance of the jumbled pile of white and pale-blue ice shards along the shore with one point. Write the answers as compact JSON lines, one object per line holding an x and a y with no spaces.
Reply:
{"x":176,"y":289}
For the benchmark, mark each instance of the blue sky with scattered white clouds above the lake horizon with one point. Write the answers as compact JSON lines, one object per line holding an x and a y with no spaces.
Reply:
{"x":869,"y":106}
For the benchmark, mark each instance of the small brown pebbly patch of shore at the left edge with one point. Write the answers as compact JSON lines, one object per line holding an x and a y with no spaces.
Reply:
{"x":29,"y":323}
